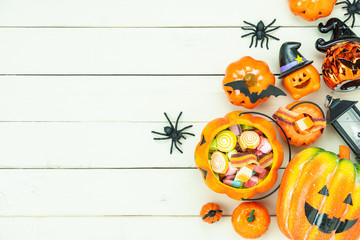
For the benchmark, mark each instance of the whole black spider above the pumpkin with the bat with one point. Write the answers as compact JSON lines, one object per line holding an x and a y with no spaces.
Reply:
{"x":260,"y":32}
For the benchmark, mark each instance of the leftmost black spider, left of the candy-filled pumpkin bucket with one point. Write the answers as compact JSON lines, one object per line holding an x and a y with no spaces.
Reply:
{"x":173,"y":133}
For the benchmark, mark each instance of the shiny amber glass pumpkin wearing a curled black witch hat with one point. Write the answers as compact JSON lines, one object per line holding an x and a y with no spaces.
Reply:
{"x":341,"y":67}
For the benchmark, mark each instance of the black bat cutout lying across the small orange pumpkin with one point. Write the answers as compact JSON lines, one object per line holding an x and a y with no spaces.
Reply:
{"x":271,"y":90}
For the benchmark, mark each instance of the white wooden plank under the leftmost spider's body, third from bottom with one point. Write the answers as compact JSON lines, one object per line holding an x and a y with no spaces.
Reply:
{"x":107,"y":145}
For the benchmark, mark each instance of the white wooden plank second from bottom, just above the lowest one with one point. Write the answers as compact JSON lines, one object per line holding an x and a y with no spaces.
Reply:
{"x":145,"y":192}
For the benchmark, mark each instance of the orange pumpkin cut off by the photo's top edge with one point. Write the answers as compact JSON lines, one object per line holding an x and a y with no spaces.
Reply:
{"x":311,"y":10}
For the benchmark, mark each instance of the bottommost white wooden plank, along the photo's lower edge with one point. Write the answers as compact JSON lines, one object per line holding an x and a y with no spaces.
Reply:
{"x":125,"y":228}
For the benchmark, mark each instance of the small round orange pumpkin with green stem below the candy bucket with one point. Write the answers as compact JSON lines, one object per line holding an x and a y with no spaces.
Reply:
{"x":250,"y":219}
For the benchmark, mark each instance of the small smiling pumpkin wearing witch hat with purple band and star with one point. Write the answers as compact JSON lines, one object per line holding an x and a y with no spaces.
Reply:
{"x":300,"y":77}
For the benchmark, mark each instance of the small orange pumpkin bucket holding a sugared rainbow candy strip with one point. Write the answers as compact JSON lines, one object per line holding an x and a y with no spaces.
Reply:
{"x":301,"y":110}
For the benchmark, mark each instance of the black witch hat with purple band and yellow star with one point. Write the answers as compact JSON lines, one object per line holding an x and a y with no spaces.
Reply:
{"x":290,"y":59}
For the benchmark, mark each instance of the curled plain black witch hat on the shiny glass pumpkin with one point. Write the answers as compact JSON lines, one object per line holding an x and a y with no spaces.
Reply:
{"x":340,"y":33}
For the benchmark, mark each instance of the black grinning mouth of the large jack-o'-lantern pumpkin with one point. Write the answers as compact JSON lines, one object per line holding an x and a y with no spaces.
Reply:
{"x":326,"y":224}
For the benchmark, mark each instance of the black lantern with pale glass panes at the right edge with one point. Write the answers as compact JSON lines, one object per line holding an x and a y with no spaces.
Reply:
{"x":344,"y":116}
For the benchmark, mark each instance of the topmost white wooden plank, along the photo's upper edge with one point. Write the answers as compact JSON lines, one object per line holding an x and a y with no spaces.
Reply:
{"x":144,"y":13}
